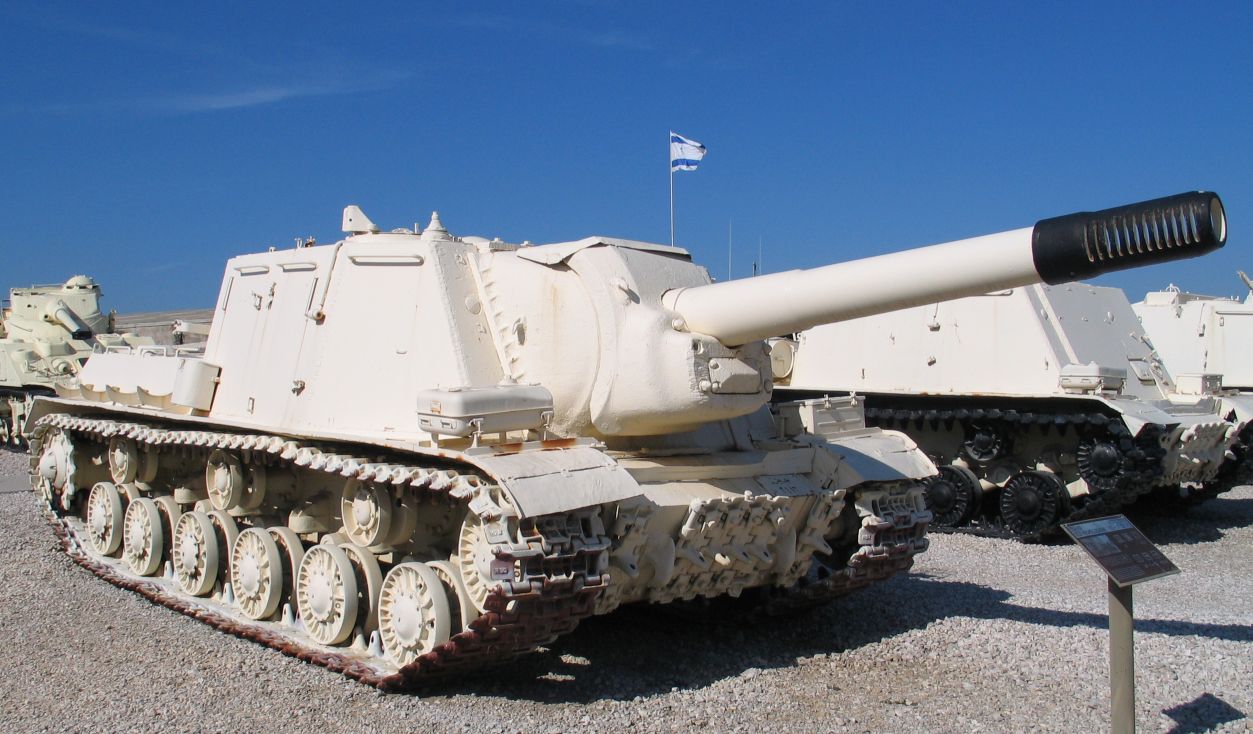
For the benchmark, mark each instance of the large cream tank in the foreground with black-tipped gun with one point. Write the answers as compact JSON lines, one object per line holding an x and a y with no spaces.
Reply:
{"x":409,"y":454}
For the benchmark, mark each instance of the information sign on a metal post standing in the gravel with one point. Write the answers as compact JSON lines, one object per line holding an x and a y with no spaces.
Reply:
{"x":1128,"y":558}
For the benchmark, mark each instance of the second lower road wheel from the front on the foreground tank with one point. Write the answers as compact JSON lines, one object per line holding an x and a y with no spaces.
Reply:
{"x":326,"y":588}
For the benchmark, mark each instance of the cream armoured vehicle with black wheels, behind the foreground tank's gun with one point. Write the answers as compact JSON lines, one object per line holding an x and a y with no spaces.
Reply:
{"x":1039,"y":404}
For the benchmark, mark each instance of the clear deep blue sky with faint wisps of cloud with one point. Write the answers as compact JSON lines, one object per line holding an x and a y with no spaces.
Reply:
{"x":145,"y":143}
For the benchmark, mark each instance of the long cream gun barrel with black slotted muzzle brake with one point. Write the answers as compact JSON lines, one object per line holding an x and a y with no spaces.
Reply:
{"x":1054,"y":251}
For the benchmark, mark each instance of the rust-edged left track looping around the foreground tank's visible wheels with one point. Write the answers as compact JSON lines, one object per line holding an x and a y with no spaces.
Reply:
{"x":552,"y":601}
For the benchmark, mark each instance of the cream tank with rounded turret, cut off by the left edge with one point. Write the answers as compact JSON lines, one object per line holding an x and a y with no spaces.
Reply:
{"x":47,"y":334}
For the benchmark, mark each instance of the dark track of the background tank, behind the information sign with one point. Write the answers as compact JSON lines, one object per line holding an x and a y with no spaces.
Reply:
{"x":1140,"y":473}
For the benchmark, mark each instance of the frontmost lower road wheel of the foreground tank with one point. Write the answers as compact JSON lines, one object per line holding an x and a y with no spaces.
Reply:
{"x":414,"y":614}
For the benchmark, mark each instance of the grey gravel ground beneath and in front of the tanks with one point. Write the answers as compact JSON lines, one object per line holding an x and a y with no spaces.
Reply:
{"x":985,"y":636}
